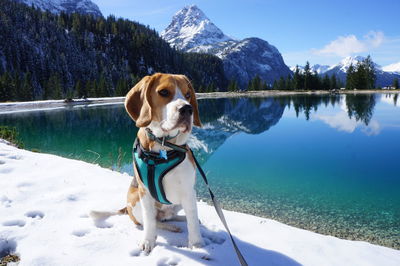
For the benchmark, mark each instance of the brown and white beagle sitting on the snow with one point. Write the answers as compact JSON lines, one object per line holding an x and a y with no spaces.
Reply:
{"x":166,"y":105}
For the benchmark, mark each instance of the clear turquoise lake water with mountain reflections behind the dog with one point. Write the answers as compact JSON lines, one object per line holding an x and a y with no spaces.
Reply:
{"x":326,"y":163}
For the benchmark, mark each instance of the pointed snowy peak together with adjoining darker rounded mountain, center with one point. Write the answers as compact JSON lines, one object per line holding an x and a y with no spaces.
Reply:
{"x":191,"y":31}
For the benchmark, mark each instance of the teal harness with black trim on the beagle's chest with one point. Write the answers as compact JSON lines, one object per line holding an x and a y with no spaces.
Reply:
{"x":152,"y":168}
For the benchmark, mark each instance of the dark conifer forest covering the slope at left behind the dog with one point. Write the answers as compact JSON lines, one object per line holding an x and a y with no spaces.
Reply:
{"x":49,"y":56}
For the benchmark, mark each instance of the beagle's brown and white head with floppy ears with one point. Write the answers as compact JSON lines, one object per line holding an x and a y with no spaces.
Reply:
{"x":165,"y":103}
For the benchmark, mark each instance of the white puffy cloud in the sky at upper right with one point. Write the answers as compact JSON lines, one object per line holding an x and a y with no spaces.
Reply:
{"x":350,"y":44}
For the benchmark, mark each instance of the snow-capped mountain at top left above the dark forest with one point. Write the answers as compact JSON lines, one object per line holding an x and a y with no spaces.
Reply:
{"x":68,"y":6}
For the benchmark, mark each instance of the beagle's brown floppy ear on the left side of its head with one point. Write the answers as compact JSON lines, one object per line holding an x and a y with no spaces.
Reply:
{"x":137,"y":103}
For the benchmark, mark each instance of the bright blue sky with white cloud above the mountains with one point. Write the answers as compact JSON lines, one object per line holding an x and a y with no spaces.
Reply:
{"x":318,"y":31}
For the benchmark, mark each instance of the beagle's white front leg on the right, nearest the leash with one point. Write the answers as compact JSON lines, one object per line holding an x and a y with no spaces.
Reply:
{"x":190,"y":207}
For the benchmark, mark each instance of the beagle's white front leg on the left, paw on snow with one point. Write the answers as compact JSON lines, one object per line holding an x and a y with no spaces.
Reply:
{"x":149,"y":222}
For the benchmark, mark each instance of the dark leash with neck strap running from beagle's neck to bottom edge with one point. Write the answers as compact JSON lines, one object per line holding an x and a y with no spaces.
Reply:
{"x":164,"y":142}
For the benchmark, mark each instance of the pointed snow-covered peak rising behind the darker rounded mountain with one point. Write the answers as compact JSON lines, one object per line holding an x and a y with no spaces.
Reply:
{"x":190,"y":27}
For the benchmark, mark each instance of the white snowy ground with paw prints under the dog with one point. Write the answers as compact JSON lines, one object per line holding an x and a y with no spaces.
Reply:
{"x":44,"y":206}
